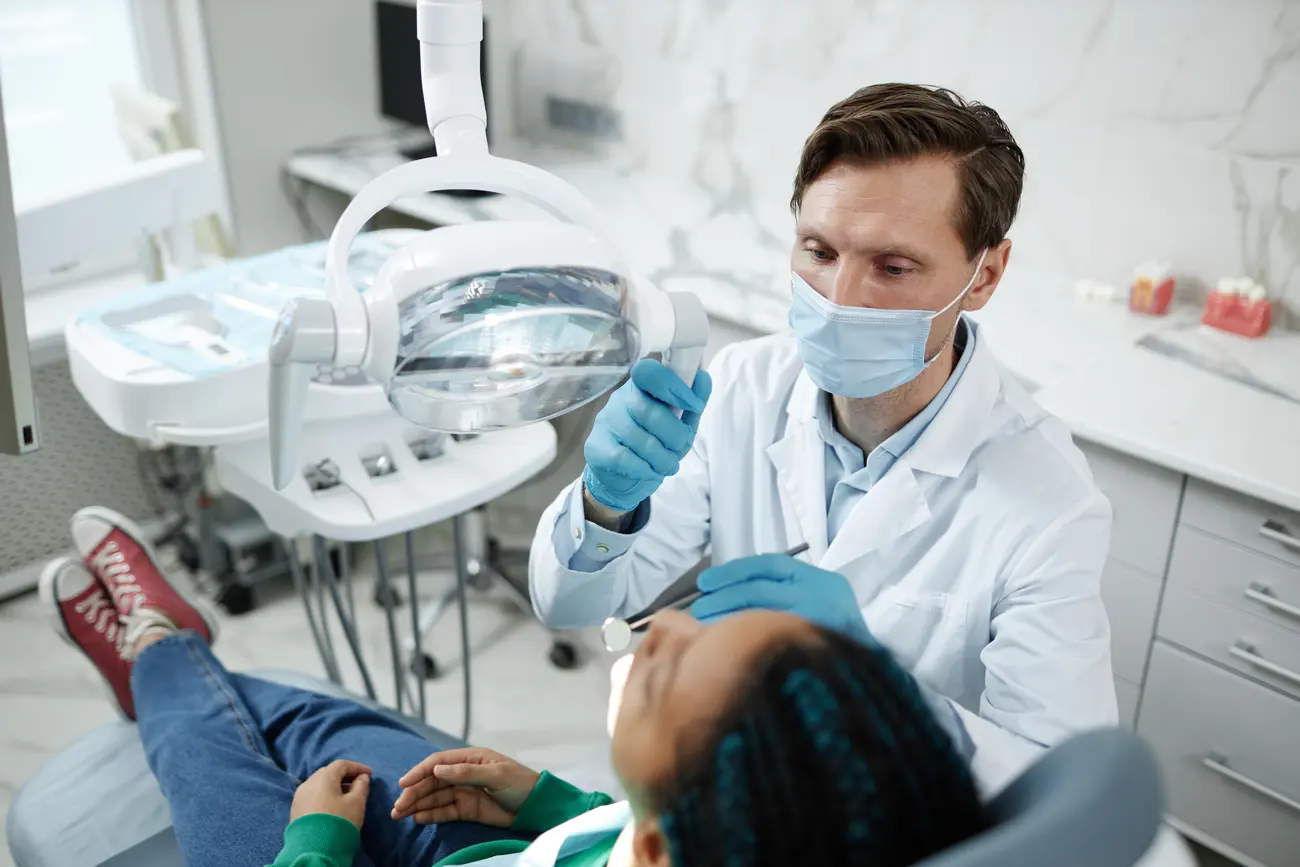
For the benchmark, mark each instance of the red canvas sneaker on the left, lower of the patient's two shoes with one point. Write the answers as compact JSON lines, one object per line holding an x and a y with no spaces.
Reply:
{"x":85,"y":617}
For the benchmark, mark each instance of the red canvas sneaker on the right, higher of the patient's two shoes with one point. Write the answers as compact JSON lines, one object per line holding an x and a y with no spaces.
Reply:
{"x":118,"y":553}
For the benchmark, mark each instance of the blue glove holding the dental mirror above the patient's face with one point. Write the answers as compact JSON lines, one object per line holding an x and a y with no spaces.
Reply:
{"x":781,"y":583}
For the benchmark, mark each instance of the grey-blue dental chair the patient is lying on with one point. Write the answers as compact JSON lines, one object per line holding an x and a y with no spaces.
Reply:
{"x":1095,"y":801}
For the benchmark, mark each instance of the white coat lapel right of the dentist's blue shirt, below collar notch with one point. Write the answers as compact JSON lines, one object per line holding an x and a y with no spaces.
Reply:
{"x":892,"y":508}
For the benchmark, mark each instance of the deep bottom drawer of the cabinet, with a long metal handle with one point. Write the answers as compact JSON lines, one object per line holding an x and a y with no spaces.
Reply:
{"x":1228,"y":751}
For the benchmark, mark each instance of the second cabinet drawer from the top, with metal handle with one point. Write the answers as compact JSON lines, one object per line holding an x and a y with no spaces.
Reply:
{"x":1237,"y":578}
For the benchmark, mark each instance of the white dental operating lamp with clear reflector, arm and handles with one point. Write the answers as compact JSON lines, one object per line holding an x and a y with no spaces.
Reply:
{"x":479,"y":327}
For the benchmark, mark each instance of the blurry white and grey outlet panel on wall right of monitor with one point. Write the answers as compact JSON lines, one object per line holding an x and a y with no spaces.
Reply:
{"x":569,"y":97}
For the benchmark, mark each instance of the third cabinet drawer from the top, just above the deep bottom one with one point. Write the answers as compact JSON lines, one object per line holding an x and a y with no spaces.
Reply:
{"x":1241,"y":641}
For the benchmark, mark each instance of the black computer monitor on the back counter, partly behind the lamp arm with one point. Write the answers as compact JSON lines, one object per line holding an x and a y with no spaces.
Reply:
{"x":401,"y":86}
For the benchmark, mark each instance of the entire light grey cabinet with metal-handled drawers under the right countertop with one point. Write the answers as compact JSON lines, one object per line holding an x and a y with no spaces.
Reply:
{"x":1203,"y":592}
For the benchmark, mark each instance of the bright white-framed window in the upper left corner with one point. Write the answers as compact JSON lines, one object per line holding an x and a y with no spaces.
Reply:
{"x":68,"y":68}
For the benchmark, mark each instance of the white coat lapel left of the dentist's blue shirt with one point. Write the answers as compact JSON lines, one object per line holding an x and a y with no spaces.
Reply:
{"x":800,"y":462}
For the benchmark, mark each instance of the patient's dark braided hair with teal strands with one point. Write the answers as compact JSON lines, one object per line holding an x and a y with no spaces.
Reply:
{"x":830,"y":756}
